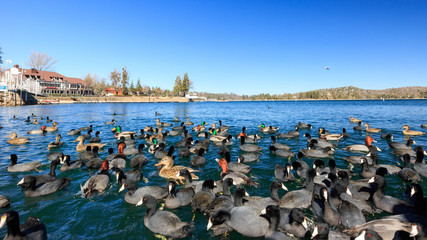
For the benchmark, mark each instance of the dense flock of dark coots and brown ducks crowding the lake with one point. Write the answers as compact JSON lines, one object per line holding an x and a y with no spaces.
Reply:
{"x":333,"y":203}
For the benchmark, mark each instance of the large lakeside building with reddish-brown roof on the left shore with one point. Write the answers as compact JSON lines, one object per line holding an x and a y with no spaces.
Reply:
{"x":42,"y":82}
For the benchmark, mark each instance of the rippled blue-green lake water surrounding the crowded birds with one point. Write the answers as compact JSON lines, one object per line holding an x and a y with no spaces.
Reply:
{"x":68,"y":215}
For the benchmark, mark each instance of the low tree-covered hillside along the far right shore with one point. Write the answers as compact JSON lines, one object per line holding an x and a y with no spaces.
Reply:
{"x":329,"y":94}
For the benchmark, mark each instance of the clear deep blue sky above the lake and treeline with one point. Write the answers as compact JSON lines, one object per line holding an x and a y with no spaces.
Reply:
{"x":245,"y":47}
